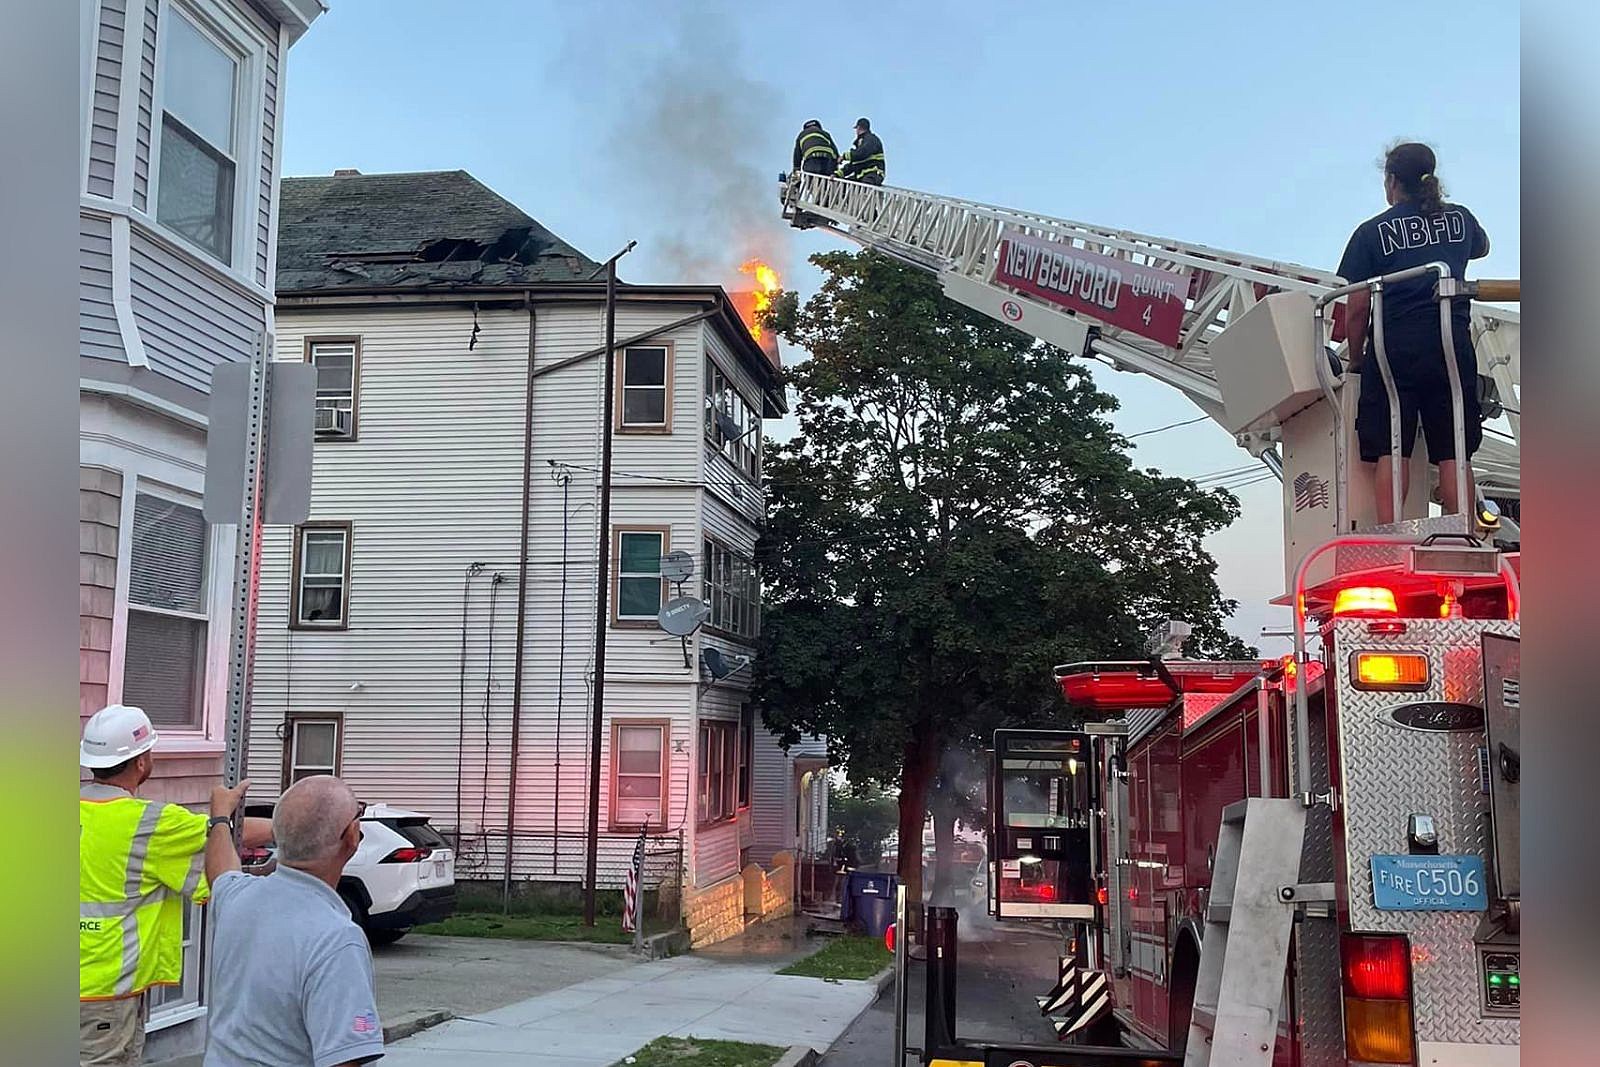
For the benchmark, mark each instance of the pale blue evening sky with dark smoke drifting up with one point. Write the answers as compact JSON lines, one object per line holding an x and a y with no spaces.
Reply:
{"x":1250,"y":127}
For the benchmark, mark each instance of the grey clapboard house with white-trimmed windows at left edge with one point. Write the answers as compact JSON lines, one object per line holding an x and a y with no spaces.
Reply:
{"x":182,"y":130}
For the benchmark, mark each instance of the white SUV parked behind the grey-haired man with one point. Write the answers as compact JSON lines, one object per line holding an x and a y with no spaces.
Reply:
{"x":402,"y":876}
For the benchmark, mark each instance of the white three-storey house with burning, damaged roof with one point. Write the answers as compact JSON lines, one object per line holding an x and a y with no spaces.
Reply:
{"x":430,"y":633}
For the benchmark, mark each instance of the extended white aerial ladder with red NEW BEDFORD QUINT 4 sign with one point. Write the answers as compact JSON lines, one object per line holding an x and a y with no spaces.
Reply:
{"x":1191,"y":295}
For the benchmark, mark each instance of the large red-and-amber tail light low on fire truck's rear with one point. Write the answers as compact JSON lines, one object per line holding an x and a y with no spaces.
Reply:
{"x":1377,"y":975}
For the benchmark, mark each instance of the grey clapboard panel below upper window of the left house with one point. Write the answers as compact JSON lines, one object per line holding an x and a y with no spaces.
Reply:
{"x":188,"y":321}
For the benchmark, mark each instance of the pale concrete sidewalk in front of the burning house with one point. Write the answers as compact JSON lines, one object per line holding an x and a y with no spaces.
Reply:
{"x":726,"y":996}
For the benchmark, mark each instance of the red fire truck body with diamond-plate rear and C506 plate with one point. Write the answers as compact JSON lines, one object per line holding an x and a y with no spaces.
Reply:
{"x":1398,"y":737}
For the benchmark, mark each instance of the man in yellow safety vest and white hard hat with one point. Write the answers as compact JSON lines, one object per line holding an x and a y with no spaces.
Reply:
{"x":138,"y":860}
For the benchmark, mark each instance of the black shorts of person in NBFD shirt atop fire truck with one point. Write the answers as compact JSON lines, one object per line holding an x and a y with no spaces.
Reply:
{"x":1423,"y":386}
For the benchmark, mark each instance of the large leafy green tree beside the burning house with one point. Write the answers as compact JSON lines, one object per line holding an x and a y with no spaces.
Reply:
{"x":954,"y":518}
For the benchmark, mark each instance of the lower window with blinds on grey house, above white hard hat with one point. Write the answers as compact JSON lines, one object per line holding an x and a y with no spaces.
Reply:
{"x":166,"y":647}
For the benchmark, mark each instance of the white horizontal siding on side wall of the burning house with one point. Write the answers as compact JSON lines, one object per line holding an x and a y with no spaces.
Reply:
{"x":433,"y":486}
